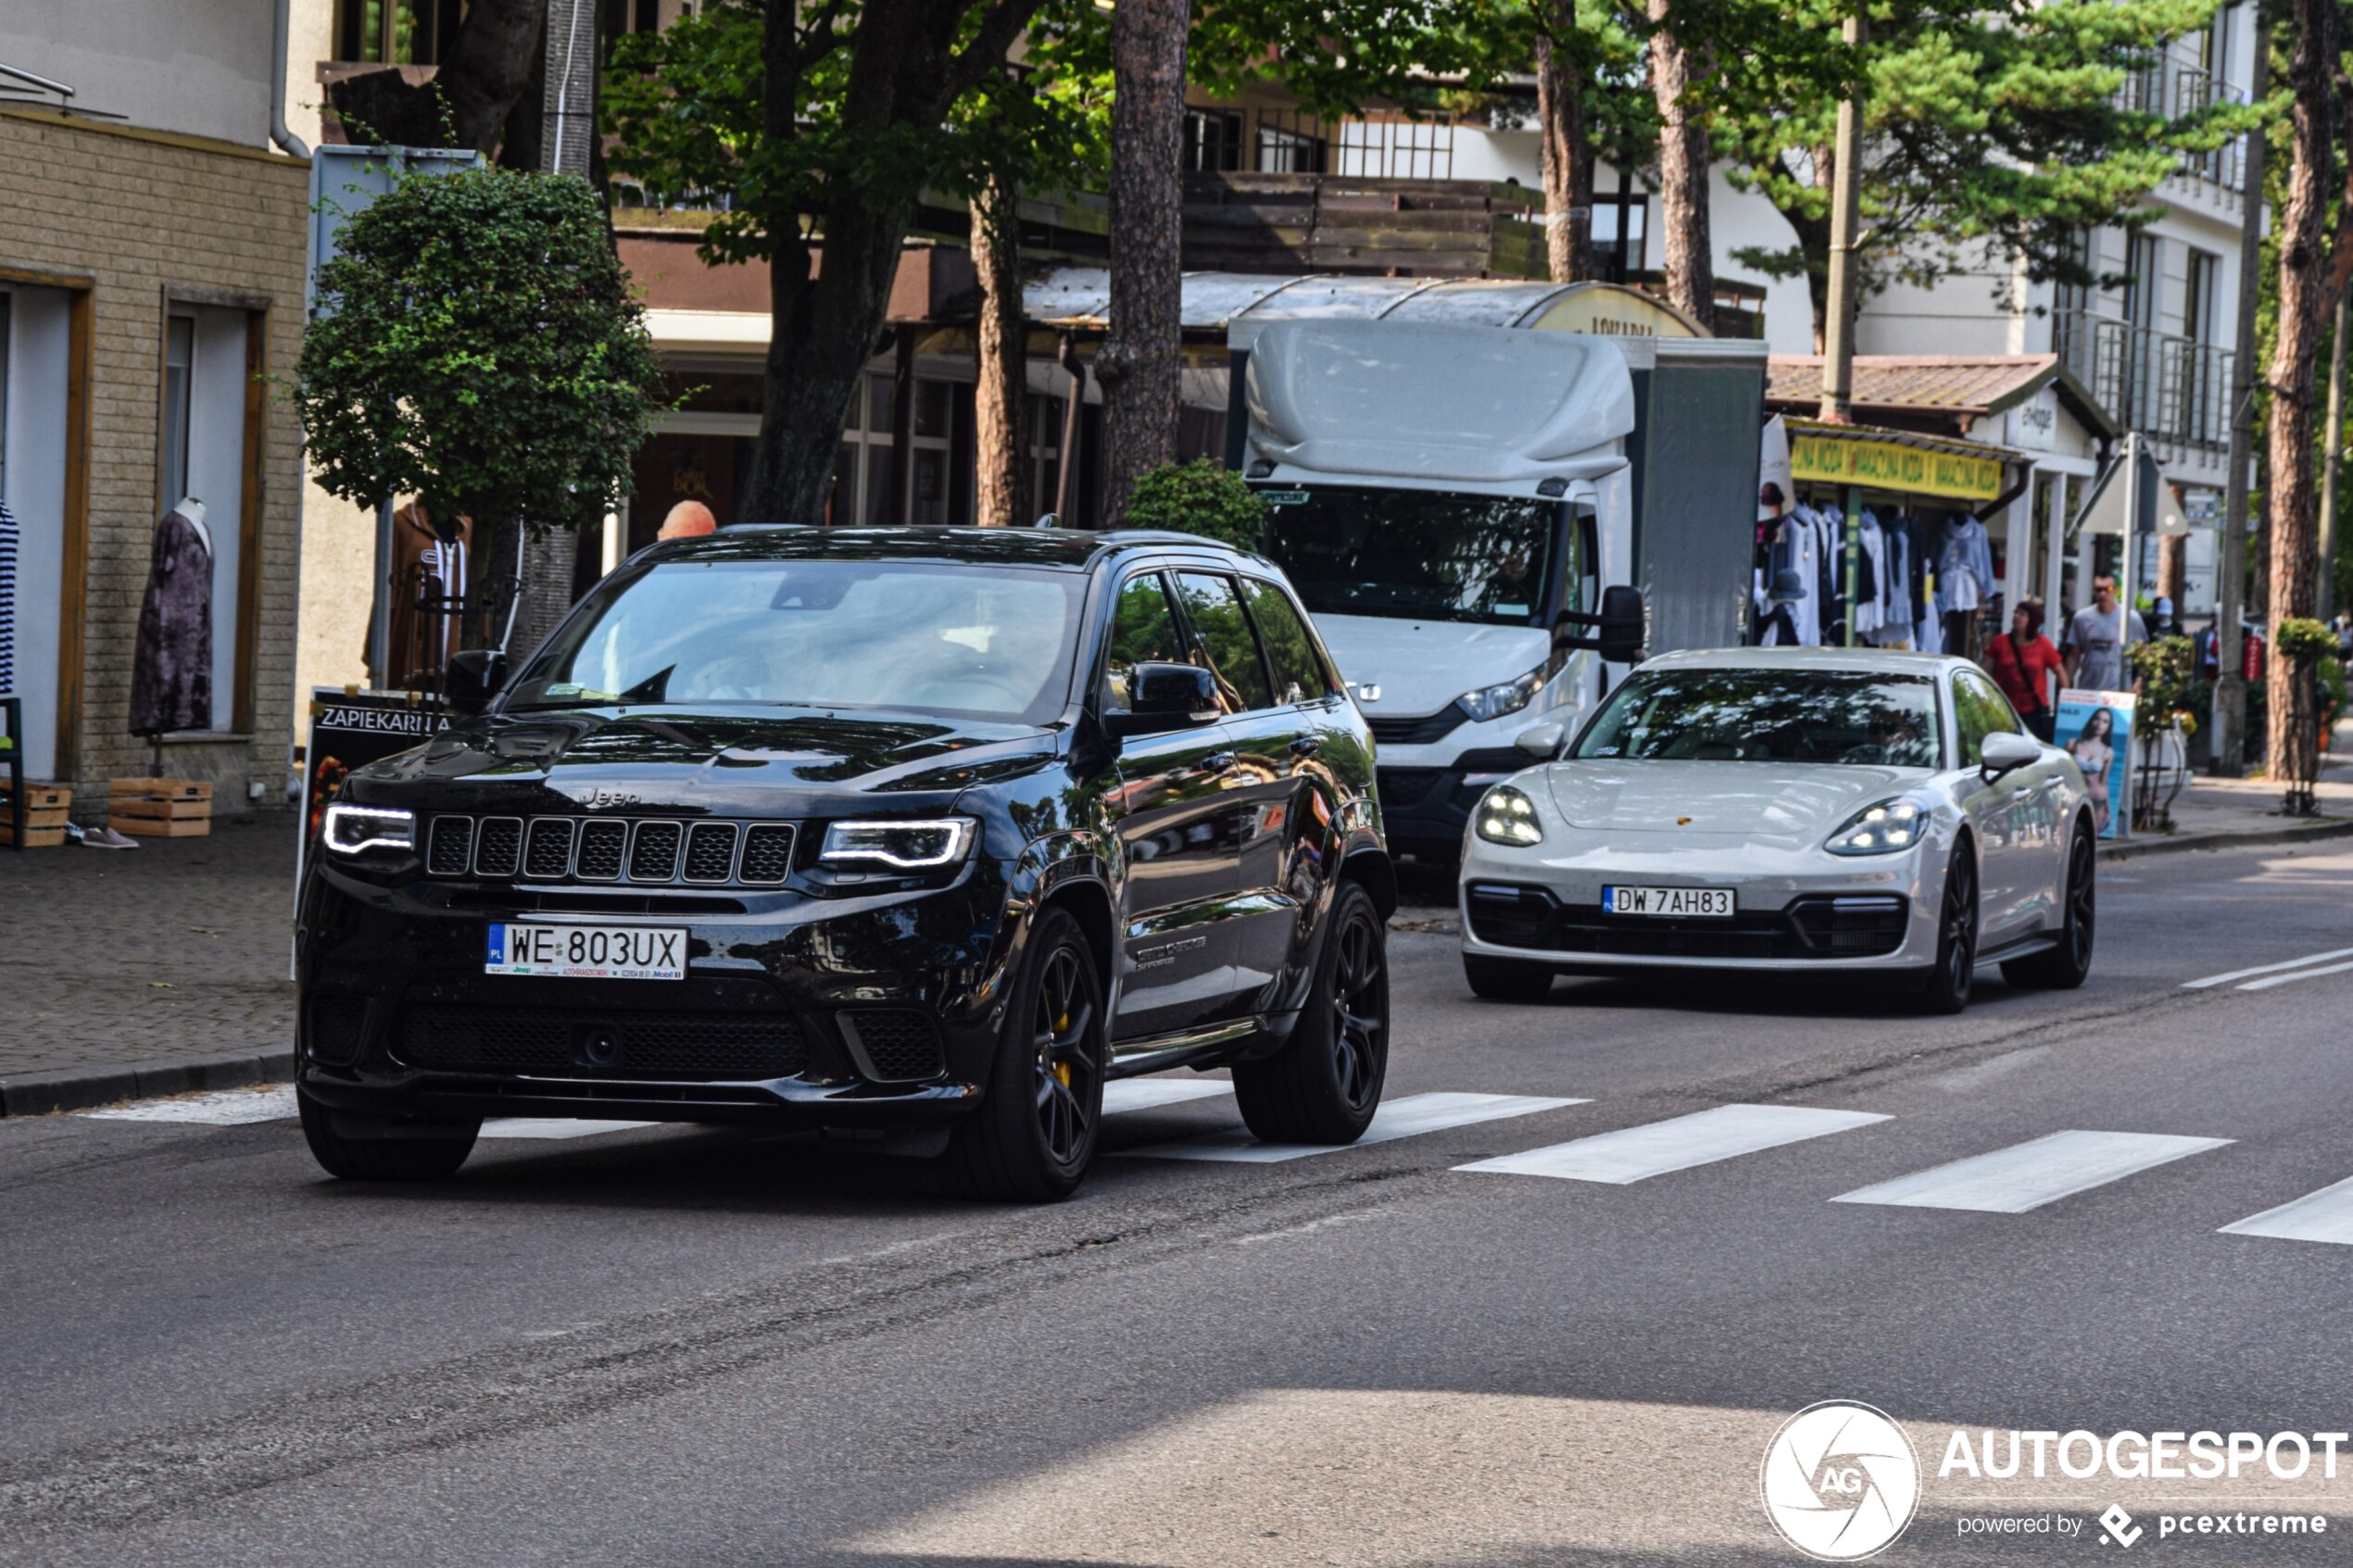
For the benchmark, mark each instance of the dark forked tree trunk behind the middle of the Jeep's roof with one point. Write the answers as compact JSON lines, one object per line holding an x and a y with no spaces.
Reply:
{"x":827,"y":321}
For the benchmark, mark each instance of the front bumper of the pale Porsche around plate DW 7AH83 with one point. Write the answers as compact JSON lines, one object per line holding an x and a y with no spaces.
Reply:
{"x":1794,"y":909}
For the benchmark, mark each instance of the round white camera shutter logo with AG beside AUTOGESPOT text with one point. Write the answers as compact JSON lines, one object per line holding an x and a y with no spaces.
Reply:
{"x":1841,"y":1482}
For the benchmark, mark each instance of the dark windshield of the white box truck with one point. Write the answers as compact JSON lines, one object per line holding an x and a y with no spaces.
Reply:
{"x":1418,"y":554}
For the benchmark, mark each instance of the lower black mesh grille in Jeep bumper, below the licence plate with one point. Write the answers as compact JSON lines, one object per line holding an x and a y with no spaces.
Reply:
{"x":700,"y":1047}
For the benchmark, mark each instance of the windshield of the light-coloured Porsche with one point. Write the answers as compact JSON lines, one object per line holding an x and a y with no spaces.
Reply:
{"x":1771,"y":716}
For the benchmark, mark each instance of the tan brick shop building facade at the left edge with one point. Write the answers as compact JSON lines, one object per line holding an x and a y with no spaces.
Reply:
{"x":152,"y":286}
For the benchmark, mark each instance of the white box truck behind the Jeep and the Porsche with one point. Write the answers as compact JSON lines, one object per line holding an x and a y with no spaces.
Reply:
{"x":1491,"y":523}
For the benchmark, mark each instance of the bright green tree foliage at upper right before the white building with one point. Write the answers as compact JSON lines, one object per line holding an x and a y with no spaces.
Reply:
{"x":1994,"y":135}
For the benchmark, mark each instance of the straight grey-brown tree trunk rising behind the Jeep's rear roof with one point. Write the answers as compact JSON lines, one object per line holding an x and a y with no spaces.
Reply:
{"x":1140,"y":359}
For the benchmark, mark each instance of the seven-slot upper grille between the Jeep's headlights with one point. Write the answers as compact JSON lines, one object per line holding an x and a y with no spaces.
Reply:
{"x":644,"y":852}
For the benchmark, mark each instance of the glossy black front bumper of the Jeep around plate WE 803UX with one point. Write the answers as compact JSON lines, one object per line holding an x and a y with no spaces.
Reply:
{"x":796,"y":1010}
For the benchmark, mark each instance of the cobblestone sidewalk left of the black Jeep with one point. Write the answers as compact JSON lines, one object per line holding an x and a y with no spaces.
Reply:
{"x":152,"y":956}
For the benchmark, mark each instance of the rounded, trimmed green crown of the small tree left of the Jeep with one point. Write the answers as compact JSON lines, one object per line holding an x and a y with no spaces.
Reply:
{"x":474,"y":344}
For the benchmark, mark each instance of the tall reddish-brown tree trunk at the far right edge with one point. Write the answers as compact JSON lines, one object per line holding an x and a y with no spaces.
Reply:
{"x":2305,"y":302}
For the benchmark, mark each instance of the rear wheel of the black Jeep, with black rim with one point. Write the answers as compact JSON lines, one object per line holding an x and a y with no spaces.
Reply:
{"x":1326,"y":1080}
